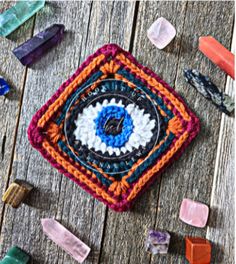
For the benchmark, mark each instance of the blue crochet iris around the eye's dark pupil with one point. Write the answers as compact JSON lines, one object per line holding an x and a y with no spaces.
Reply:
{"x":110,"y":113}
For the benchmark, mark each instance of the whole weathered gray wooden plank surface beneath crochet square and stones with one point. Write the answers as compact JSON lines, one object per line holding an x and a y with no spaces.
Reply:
{"x":201,"y":173}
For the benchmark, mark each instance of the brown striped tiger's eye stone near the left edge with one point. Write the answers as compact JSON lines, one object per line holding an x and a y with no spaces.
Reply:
{"x":16,"y":193}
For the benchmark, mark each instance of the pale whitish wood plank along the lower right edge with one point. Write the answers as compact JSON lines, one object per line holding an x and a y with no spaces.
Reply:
{"x":222,"y":216}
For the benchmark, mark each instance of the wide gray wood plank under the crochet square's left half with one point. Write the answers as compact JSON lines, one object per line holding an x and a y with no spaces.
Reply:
{"x":56,"y":196}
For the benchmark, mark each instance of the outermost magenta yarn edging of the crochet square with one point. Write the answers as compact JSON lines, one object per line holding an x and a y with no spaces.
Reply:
{"x":36,"y":137}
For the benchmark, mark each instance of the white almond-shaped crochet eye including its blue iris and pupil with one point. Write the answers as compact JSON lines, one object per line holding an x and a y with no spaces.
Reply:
{"x":92,"y":130}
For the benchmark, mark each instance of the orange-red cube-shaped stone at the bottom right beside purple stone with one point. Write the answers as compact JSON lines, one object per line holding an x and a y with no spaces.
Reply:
{"x":198,"y":250}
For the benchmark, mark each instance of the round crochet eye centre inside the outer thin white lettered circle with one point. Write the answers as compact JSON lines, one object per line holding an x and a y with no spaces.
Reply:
{"x":113,"y":127}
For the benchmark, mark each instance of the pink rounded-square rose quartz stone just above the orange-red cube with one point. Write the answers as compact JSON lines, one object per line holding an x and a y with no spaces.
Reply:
{"x":194,"y":213}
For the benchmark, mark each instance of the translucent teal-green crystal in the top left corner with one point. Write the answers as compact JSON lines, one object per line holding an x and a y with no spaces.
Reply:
{"x":15,"y":16}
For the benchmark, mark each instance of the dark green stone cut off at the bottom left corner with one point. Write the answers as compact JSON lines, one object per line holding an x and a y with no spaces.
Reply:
{"x":15,"y":255}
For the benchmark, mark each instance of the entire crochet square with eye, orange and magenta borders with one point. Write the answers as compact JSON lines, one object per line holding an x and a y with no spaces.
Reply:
{"x":113,"y":127}
